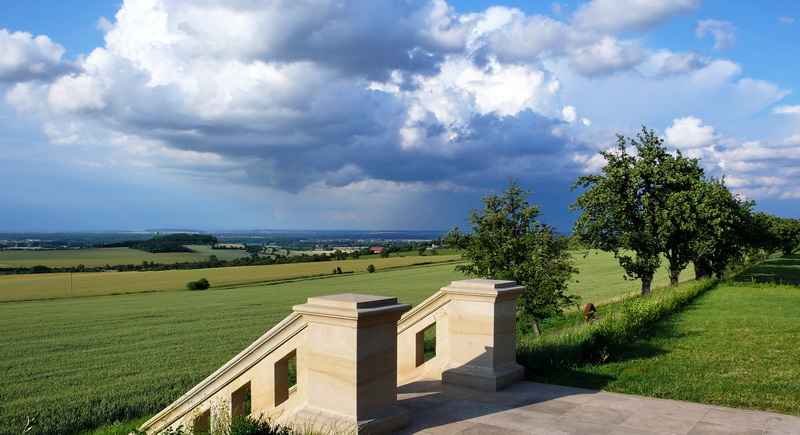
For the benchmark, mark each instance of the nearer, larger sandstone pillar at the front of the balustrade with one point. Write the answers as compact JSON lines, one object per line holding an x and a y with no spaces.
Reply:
{"x":352,"y":364}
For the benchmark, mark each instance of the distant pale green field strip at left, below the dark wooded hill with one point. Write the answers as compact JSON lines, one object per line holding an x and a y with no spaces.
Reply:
{"x":98,"y":257}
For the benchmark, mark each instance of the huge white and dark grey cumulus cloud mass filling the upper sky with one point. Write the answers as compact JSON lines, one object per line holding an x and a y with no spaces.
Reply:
{"x":330,"y":96}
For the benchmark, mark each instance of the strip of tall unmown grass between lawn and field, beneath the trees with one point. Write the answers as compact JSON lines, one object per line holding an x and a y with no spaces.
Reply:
{"x":627,"y":320}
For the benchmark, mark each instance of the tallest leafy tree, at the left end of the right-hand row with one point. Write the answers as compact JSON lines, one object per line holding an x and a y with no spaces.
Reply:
{"x":640,"y":207}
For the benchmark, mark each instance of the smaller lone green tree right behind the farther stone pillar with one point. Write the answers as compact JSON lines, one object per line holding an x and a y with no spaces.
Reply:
{"x":509,"y":243}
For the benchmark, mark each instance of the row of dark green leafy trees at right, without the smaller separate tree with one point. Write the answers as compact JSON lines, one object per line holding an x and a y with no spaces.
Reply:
{"x":650,"y":204}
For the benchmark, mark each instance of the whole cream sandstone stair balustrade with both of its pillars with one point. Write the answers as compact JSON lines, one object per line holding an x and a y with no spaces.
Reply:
{"x":351,"y":352}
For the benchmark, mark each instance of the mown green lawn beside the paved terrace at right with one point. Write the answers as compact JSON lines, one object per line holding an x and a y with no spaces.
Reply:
{"x":734,"y":346}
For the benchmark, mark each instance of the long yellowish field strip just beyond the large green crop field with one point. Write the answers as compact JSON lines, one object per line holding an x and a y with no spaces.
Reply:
{"x":65,"y":285}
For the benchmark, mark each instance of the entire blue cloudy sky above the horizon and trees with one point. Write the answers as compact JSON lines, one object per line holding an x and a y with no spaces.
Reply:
{"x":377,"y":115}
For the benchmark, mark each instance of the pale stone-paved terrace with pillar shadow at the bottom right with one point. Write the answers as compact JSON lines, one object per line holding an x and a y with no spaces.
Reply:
{"x":533,"y":408}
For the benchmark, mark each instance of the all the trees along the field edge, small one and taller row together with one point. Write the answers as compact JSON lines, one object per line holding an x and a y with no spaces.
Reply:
{"x":645,"y":205}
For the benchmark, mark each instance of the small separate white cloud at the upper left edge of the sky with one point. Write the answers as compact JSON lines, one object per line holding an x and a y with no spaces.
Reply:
{"x":24,"y":58}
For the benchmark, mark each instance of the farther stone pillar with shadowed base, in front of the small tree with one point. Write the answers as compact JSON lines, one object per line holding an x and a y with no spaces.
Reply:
{"x":482,"y":334}
